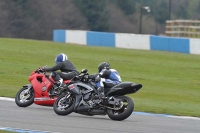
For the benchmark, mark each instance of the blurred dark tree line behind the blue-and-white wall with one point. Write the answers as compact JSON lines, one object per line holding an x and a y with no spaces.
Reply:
{"x":37,"y":19}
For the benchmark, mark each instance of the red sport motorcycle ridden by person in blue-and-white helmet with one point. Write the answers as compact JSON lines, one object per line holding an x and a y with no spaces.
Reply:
{"x":40,"y":91}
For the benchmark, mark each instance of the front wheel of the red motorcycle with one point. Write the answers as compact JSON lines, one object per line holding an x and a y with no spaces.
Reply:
{"x":24,"y":99}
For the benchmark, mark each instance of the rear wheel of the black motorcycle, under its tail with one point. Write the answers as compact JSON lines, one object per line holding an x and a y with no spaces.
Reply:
{"x":124,"y":112}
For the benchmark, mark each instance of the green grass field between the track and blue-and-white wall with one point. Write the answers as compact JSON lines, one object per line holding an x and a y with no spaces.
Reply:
{"x":171,"y":81}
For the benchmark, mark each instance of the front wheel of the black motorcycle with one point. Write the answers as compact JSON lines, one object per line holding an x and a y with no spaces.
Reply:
{"x":64,"y":105}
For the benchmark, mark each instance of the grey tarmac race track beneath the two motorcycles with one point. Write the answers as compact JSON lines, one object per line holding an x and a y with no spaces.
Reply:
{"x":42,"y":118}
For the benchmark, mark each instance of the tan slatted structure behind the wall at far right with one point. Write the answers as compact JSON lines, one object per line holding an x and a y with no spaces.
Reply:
{"x":183,"y":28}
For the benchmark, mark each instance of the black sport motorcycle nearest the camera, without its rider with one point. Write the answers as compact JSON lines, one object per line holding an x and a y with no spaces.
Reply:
{"x":82,"y":98}
